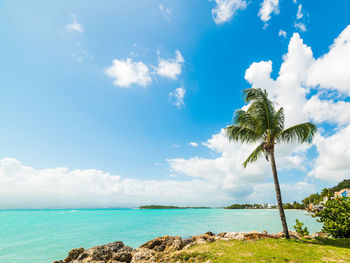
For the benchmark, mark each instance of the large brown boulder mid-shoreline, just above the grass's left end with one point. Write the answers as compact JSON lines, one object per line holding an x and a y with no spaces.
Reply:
{"x":165,"y":244}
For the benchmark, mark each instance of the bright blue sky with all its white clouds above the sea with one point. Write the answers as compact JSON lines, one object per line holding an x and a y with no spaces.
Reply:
{"x":123,"y":103}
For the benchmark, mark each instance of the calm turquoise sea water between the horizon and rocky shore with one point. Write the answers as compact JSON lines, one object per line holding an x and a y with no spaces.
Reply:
{"x":35,"y":236}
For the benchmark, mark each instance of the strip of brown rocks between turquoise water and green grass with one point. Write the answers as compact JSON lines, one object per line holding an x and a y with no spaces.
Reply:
{"x":156,"y":250}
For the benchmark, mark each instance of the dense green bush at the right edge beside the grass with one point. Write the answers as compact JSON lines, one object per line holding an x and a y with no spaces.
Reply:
{"x":336,"y":217}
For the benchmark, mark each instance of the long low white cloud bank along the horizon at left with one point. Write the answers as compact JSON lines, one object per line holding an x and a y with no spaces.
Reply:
{"x":26,"y":187}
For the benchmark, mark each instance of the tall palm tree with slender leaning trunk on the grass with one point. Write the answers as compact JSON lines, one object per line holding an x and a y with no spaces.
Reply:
{"x":262,"y":123}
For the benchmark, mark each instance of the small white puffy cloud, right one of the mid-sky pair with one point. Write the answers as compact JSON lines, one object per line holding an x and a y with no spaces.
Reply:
{"x":170,"y":68}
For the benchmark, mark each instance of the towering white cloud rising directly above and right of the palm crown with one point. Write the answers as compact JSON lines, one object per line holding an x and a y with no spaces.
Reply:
{"x":287,"y":90}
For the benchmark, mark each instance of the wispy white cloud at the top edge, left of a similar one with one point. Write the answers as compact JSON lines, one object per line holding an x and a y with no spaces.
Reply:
{"x":226,"y":9}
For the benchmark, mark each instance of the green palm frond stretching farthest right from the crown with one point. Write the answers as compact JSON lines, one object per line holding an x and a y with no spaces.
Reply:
{"x":303,"y":132}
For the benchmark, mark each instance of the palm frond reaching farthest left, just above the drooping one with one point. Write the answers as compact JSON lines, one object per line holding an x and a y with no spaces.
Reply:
{"x":241,"y":133}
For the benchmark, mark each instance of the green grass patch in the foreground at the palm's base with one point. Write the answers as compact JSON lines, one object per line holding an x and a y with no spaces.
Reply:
{"x":266,"y":250}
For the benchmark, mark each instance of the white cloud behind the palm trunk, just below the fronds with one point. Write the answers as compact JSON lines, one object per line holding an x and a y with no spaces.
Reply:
{"x":227,"y":173}
